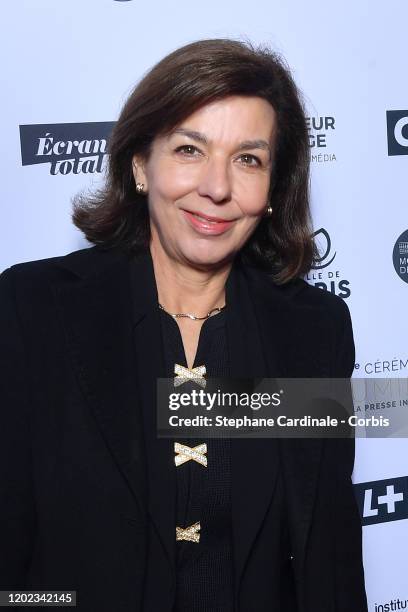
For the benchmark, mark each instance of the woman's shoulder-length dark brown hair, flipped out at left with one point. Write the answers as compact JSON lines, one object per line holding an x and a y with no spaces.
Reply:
{"x":181,"y":83}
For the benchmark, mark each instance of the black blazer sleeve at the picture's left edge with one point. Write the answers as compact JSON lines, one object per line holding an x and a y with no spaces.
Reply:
{"x":17,"y":513}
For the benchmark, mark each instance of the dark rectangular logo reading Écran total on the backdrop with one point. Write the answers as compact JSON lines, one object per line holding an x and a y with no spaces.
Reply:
{"x":68,"y":148}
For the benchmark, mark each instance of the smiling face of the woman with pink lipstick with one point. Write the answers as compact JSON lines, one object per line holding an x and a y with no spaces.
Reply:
{"x":216,"y":163}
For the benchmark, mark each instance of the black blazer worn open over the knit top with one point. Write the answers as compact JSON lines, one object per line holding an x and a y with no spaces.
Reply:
{"x":77,"y":334}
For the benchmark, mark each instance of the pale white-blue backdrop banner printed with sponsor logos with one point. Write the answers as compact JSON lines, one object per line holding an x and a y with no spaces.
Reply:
{"x":69,"y":66}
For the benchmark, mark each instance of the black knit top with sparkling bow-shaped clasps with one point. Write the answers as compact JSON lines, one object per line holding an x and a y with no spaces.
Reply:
{"x":204,"y":568}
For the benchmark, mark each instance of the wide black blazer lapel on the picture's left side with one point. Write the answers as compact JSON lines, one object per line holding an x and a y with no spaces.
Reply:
{"x":97,"y":317}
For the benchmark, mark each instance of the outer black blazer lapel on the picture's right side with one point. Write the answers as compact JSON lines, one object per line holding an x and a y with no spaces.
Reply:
{"x":288,"y":334}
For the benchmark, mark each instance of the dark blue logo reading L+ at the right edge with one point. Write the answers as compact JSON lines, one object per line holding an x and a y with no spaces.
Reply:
{"x":381,"y":501}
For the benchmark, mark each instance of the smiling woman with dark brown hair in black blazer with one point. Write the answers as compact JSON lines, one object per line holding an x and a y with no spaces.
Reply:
{"x":201,"y":236}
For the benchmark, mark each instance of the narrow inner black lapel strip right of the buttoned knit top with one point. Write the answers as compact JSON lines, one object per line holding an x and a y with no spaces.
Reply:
{"x":254,"y":461}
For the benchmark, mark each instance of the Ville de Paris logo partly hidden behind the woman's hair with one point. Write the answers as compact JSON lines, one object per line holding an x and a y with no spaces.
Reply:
{"x":323,"y":273}
